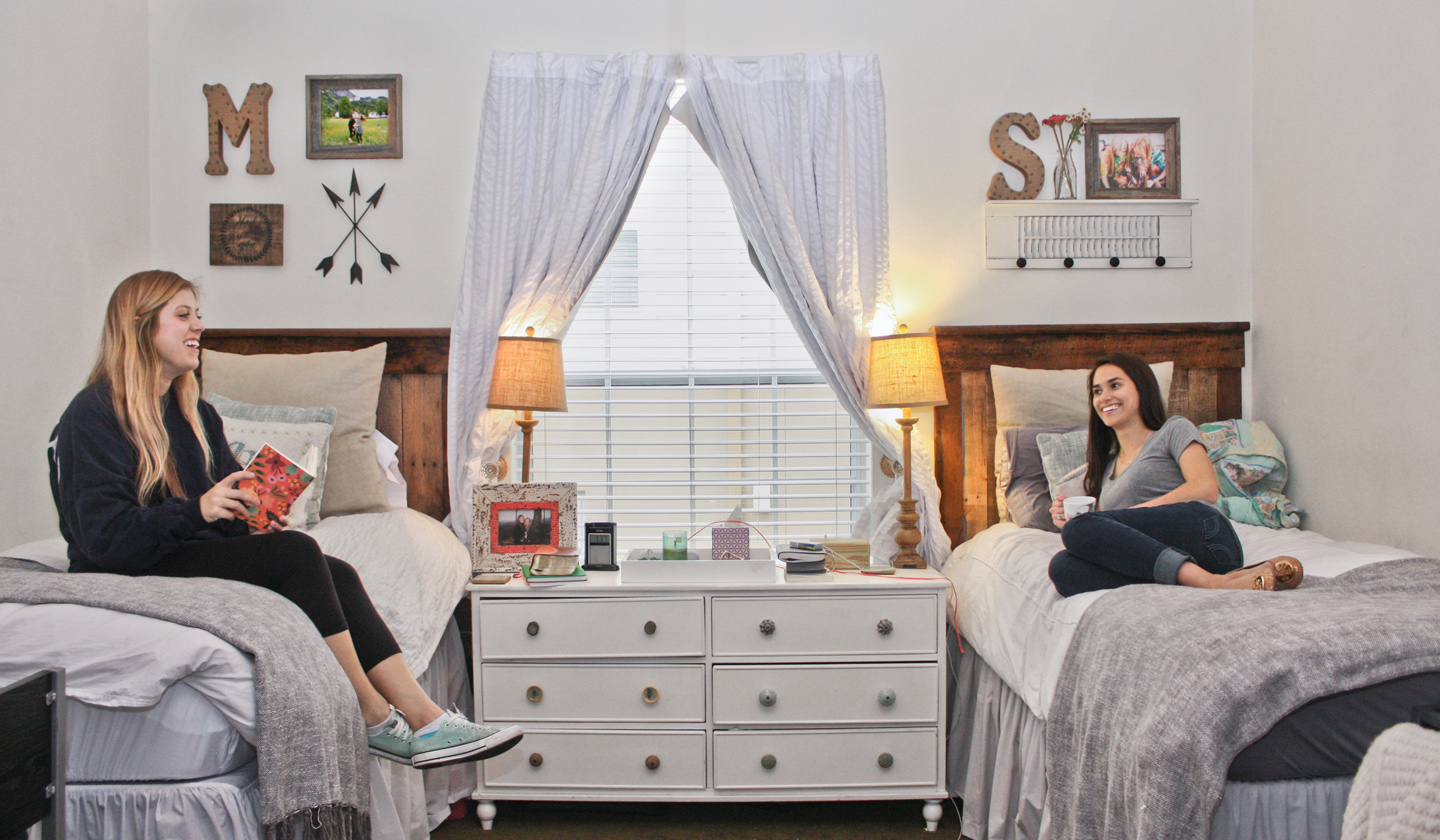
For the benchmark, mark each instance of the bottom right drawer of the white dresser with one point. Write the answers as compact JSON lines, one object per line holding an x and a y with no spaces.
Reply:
{"x":826,"y":760}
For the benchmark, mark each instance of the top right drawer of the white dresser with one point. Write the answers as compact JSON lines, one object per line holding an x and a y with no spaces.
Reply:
{"x":856,"y":626}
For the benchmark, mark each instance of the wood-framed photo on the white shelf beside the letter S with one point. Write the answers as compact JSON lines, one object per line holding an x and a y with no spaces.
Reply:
{"x":1133,"y":159}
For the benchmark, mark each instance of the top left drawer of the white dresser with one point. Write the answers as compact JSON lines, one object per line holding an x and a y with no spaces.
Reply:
{"x":591,"y":627}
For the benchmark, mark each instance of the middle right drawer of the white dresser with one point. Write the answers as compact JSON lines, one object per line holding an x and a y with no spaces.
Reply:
{"x":891,"y":694}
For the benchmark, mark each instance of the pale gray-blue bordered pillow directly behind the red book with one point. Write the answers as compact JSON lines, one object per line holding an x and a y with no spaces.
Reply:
{"x":289,"y":429}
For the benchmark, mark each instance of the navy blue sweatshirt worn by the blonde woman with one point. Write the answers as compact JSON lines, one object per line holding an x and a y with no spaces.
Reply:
{"x":93,"y":478}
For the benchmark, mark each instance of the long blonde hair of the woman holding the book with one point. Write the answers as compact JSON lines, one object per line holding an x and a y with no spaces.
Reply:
{"x":130,"y":365}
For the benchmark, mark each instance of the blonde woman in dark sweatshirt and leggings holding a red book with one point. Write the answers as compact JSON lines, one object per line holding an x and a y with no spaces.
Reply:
{"x":146,"y":485}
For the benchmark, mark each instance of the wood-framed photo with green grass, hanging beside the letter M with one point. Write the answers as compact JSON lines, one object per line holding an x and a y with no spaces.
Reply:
{"x":354,"y":117}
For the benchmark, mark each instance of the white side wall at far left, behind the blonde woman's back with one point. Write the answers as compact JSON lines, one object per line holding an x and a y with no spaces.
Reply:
{"x":74,"y":218}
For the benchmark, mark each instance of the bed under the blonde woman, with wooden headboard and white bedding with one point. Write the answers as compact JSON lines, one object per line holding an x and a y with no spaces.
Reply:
{"x":162,"y":727}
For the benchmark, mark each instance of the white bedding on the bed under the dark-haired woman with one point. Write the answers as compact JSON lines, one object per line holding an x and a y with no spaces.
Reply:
{"x":1017,"y":622}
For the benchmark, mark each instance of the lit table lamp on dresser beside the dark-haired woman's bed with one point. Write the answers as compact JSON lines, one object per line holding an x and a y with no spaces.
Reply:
{"x":905,"y":374}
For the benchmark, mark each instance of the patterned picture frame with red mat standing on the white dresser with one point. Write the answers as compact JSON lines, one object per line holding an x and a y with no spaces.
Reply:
{"x":516,"y":522}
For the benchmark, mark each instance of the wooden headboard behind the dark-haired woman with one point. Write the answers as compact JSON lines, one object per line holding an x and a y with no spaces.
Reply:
{"x":1206,"y":388}
